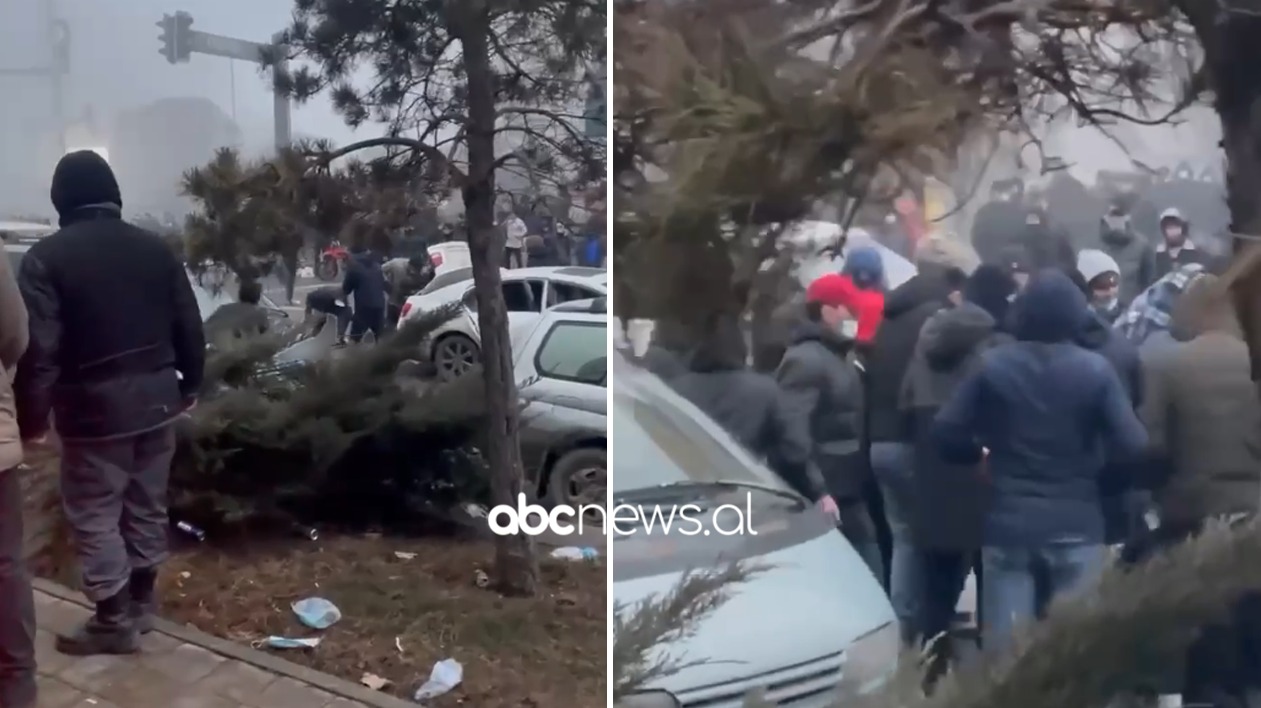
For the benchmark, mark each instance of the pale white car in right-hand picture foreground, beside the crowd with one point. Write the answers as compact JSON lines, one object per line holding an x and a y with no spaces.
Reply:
{"x":814,"y":627}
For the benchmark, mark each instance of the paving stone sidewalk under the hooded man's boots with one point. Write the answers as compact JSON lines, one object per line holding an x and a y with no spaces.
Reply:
{"x":177,"y":670}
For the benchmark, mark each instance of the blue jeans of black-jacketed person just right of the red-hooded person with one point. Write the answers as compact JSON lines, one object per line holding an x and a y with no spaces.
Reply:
{"x":892,"y":468}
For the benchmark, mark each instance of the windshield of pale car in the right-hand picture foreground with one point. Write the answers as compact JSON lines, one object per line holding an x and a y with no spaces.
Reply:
{"x":661,"y":440}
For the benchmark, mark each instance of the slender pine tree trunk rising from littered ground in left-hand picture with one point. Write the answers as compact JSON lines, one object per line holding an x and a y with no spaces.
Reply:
{"x":516,"y":562}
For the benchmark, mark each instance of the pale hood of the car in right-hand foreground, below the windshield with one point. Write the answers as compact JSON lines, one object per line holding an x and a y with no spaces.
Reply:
{"x":816,"y":599}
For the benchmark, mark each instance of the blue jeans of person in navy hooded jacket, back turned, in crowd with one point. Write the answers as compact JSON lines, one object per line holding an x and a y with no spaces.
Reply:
{"x":1021,"y":582}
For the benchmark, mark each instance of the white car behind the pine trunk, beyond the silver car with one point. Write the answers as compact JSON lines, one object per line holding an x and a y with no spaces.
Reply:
{"x":528,"y":292}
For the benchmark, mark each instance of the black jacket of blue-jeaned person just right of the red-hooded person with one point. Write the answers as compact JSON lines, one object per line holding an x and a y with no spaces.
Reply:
{"x":906,"y":310}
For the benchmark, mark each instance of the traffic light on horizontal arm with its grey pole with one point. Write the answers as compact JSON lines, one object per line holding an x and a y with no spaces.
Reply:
{"x":180,"y":42}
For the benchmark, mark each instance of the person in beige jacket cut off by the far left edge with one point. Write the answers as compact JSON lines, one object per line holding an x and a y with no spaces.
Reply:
{"x":17,"y":601}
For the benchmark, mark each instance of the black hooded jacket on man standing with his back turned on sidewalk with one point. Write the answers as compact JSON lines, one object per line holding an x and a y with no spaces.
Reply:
{"x":113,"y":319}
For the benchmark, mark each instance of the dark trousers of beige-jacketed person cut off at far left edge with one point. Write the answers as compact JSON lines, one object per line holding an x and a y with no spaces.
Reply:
{"x":17,"y":601}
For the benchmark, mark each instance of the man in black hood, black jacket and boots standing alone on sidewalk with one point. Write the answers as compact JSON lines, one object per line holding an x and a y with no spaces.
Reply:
{"x":117,"y":355}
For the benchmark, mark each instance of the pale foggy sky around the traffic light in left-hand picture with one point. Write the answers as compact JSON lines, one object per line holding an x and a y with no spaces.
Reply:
{"x":115,"y":66}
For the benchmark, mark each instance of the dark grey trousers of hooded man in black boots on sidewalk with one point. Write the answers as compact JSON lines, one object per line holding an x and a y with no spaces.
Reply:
{"x":115,"y":498}
